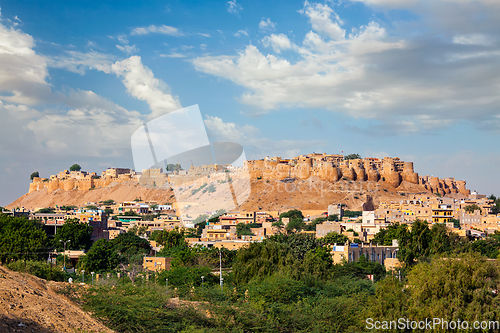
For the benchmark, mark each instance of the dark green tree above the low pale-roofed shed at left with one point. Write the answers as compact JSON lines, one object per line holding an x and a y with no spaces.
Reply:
{"x":78,"y":233}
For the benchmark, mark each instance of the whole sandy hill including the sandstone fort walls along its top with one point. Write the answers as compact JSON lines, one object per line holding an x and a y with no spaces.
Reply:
{"x":307,"y":182}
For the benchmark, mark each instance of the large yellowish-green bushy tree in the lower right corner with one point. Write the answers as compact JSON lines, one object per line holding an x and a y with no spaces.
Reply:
{"x":462,"y":287}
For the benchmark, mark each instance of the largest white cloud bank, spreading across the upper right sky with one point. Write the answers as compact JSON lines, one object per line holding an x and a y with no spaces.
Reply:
{"x":411,"y":82}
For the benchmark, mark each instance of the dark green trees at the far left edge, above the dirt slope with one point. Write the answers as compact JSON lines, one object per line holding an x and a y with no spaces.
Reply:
{"x":21,"y":238}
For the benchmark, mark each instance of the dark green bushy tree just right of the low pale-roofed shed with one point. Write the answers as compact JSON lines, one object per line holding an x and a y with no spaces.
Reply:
{"x":101,"y":257}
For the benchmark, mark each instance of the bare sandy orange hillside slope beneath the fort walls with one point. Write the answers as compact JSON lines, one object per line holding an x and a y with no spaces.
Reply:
{"x":266,"y":195}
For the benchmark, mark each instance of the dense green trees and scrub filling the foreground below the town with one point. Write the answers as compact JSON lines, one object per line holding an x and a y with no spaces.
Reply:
{"x":286,"y":283}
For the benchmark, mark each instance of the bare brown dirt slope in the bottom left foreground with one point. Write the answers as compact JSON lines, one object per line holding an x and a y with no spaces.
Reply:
{"x":30,"y":304}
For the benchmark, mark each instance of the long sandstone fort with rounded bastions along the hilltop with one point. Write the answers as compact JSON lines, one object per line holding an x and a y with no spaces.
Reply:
{"x":328,"y":167}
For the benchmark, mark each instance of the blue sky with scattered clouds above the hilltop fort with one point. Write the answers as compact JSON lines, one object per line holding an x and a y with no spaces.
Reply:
{"x":415,"y":79}
